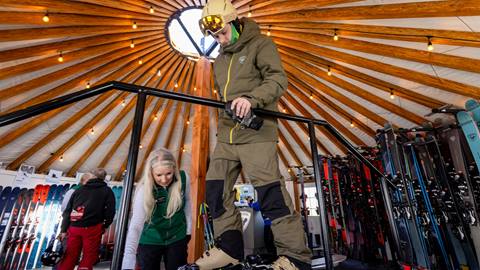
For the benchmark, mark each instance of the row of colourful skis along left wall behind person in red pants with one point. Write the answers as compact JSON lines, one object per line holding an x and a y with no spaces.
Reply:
{"x":30,"y":218}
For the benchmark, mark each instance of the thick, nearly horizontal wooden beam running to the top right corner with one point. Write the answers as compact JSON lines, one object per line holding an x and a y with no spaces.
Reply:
{"x":450,"y":8}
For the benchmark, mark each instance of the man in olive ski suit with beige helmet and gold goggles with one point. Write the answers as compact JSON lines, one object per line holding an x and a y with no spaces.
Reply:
{"x":248,"y":72}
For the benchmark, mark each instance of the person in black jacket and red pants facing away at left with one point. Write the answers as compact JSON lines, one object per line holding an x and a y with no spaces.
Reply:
{"x":88,"y":213}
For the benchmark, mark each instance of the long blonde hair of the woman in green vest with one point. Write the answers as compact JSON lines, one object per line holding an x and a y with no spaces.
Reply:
{"x":161,"y":157}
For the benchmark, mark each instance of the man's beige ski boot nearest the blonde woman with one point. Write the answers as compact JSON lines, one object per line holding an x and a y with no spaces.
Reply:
{"x":214,"y":258}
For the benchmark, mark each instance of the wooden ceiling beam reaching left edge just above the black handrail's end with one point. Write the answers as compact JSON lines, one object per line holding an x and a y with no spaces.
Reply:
{"x":106,"y":59}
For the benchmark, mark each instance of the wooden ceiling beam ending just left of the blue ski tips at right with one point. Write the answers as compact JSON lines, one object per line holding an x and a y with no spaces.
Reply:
{"x":370,"y":80}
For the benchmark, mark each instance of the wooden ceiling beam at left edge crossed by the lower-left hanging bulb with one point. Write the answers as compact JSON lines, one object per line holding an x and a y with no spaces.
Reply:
{"x":77,"y":55}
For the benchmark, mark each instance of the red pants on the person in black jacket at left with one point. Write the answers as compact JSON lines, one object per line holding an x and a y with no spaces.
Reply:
{"x":88,"y":238}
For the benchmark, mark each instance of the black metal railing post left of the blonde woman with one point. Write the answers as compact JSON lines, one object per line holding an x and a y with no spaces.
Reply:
{"x":124,"y":210}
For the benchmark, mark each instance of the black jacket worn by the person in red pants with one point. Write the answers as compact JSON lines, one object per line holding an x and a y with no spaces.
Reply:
{"x":92,"y":204}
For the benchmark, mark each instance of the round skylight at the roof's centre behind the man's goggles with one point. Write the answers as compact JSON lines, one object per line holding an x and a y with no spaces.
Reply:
{"x":195,"y":45}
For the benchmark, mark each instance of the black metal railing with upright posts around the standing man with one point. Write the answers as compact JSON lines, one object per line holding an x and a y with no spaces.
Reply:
{"x":142,"y":92}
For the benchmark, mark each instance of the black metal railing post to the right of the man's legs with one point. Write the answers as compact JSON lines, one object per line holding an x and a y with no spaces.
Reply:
{"x":321,"y":201}
